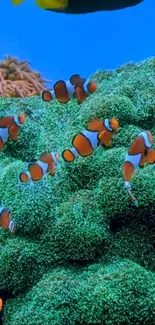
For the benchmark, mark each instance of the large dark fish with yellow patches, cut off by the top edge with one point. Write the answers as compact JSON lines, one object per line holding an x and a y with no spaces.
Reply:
{"x":82,"y":6}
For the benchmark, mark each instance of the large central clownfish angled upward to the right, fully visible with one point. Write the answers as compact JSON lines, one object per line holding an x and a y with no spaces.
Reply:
{"x":98,"y":132}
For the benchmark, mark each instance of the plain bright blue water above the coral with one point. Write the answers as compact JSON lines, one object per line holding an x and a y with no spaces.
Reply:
{"x":59,"y":45}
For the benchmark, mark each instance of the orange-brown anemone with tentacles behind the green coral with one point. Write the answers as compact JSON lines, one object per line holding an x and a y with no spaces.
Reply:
{"x":18,"y":80}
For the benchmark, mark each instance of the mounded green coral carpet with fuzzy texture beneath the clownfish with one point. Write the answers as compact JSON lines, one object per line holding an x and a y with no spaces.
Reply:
{"x":82,"y":253}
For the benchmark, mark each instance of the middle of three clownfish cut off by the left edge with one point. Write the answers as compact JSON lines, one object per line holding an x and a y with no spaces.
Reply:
{"x":6,"y":221}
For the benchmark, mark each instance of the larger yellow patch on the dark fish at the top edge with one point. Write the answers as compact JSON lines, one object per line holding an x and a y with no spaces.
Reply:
{"x":52,"y":4}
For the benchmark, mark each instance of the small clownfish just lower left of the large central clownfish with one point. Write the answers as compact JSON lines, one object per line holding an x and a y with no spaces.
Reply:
{"x":36,"y":170}
